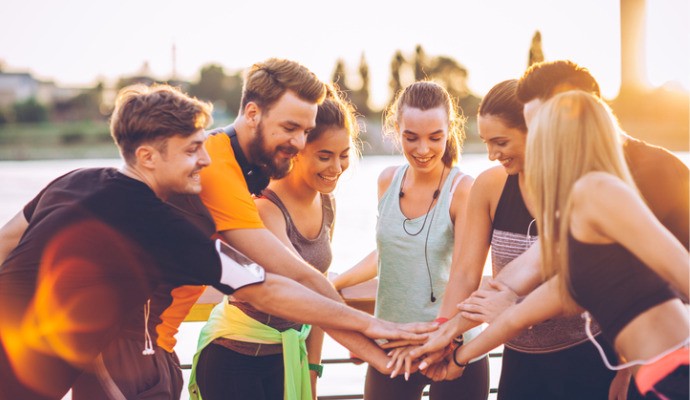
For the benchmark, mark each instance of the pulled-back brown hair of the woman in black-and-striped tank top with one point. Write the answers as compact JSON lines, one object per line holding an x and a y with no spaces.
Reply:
{"x":501,"y":102}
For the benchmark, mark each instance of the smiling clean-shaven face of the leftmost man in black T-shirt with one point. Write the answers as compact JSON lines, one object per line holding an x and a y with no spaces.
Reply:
{"x":178,"y":163}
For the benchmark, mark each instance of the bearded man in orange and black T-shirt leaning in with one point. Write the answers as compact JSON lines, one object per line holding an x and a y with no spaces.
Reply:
{"x":278,"y":109}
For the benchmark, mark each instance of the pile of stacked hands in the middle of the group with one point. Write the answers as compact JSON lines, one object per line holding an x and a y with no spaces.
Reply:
{"x":440,"y":355}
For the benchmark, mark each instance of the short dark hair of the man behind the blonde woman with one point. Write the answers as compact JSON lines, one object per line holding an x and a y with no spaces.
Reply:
{"x":542,"y":80}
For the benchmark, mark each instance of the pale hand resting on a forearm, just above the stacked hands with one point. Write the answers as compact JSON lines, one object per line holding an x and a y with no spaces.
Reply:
{"x":485,"y":304}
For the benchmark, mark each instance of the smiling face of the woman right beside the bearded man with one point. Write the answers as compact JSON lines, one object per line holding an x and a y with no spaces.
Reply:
{"x":323,"y":160}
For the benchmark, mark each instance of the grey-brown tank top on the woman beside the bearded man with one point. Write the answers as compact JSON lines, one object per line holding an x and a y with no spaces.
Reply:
{"x":317,"y":252}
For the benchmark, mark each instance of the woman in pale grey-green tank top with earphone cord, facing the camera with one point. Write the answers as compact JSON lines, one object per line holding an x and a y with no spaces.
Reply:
{"x":420,"y":215}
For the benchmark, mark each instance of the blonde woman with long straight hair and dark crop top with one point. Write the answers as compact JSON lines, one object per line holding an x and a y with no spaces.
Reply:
{"x":602,"y":250}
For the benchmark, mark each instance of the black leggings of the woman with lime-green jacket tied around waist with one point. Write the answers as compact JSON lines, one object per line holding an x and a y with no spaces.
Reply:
{"x":223,"y":374}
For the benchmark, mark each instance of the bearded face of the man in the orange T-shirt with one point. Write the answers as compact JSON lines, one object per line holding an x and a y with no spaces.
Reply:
{"x":281,"y":133}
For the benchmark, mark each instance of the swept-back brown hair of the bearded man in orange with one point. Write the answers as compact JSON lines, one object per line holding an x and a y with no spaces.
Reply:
{"x":267,"y":81}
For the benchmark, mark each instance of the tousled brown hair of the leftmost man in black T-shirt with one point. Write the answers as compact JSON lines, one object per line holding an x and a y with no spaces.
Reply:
{"x":145,"y":114}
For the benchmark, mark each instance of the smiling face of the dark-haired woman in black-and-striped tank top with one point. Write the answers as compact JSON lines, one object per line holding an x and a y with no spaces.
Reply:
{"x":507,"y":145}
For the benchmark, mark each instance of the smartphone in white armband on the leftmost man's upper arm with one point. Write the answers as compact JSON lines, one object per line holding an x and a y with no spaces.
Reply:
{"x":237,"y":269}
